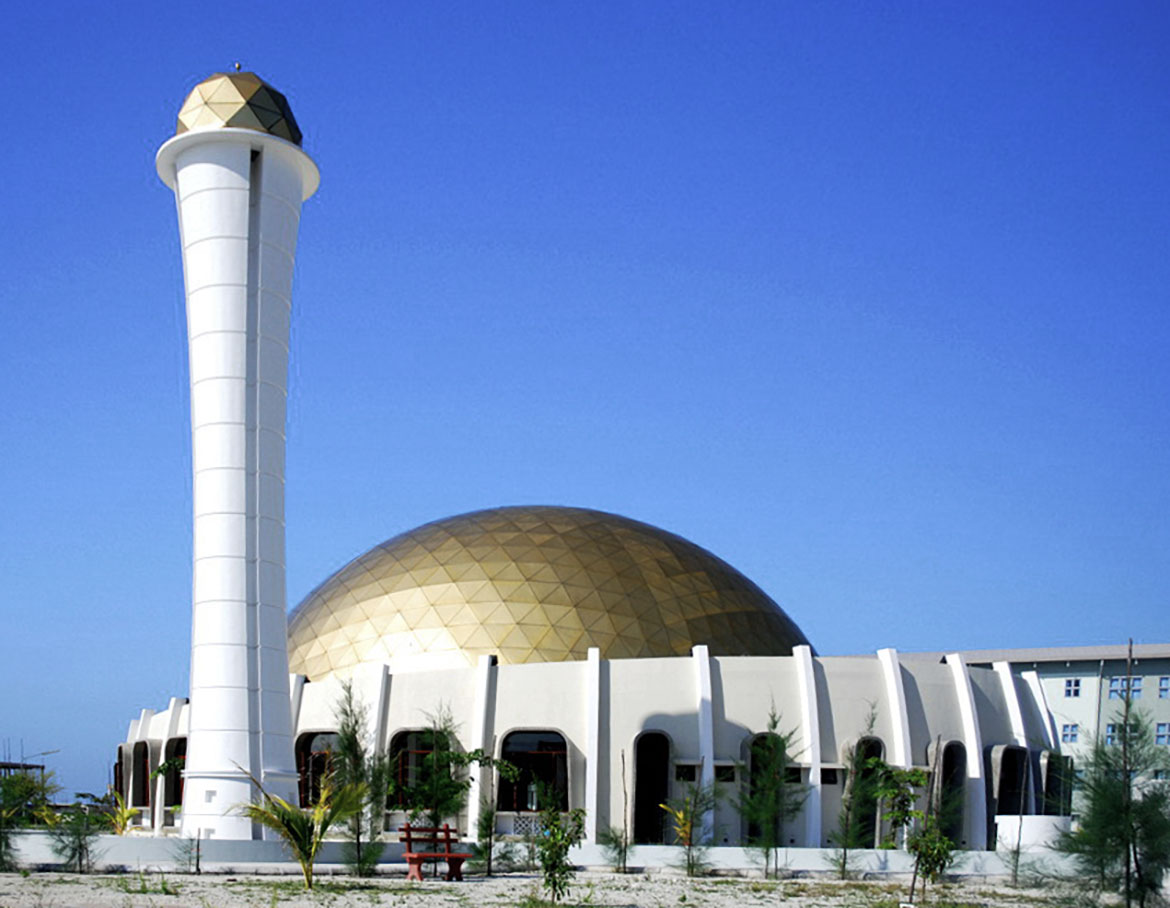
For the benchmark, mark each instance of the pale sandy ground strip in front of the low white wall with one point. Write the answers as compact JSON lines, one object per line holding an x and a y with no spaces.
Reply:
{"x":513,"y":891}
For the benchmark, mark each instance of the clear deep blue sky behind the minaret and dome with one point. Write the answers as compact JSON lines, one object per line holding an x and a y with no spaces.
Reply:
{"x":871,"y":300}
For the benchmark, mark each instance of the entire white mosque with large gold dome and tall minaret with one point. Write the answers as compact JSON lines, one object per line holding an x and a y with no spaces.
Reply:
{"x":611,"y":662}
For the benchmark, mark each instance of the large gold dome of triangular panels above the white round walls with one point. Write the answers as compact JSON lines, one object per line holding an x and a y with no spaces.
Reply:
{"x":532,"y":584}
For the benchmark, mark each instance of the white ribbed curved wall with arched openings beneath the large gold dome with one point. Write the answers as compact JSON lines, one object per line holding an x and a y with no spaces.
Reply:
{"x":618,"y":738}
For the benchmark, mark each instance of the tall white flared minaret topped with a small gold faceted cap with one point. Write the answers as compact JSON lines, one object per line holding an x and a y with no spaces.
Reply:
{"x":239,"y":177}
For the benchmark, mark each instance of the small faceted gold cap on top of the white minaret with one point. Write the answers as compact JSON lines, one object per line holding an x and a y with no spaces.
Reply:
{"x":242,"y":100}
